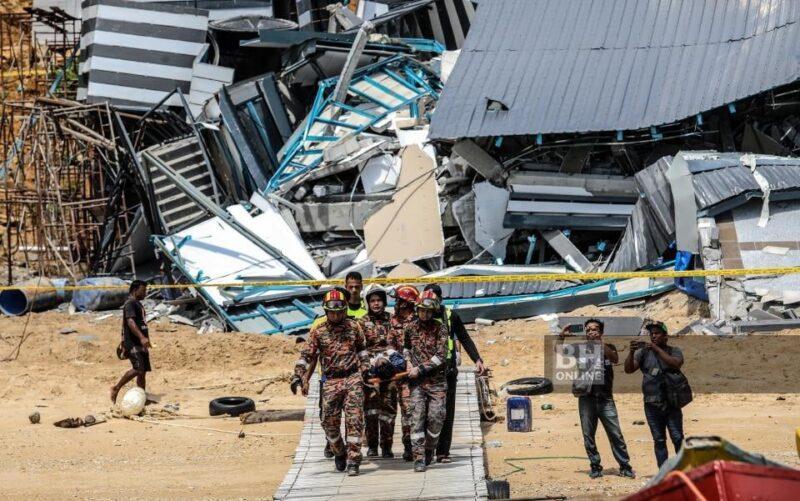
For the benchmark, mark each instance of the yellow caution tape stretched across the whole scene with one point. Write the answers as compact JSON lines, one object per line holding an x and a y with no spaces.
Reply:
{"x":466,"y":279}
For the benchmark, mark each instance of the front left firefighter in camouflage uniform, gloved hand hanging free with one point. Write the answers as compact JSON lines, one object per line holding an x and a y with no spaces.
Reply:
{"x":340,"y":346}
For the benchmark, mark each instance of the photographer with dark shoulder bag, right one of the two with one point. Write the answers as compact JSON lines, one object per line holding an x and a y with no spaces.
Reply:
{"x":653,"y":358}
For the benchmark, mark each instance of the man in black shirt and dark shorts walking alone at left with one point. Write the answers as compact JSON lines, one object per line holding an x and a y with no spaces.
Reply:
{"x":135,"y":338}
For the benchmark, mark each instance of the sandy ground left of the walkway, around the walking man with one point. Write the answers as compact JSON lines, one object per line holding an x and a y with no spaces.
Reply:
{"x":69,"y":375}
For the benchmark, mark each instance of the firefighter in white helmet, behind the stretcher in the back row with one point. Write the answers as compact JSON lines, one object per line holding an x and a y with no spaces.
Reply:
{"x":380,"y":404}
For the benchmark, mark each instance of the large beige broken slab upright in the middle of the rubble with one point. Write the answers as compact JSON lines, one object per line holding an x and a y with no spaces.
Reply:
{"x":404,"y":229}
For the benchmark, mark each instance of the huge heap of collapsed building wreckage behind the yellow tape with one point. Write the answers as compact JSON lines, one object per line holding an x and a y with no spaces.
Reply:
{"x":319,"y":138}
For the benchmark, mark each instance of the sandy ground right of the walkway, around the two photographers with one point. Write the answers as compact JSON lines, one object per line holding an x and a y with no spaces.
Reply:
{"x":735,"y":381}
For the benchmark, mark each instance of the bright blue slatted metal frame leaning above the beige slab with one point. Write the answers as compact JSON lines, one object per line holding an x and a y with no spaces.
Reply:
{"x":407,"y":72}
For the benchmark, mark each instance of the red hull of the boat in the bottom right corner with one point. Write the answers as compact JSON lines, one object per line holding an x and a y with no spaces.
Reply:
{"x":728,"y":481}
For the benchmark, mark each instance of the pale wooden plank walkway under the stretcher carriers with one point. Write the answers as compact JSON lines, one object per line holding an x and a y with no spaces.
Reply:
{"x":314,"y":477}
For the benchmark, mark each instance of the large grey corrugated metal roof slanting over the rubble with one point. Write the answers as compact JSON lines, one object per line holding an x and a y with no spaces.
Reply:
{"x":601,"y":65}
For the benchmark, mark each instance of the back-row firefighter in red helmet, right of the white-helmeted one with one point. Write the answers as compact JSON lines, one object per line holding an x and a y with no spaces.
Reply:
{"x":406,"y":297}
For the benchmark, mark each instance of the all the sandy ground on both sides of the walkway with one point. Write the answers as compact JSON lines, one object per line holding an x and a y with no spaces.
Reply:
{"x":194,"y":456}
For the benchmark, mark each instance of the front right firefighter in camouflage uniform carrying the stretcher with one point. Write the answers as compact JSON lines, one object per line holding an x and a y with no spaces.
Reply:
{"x":425,"y":349}
